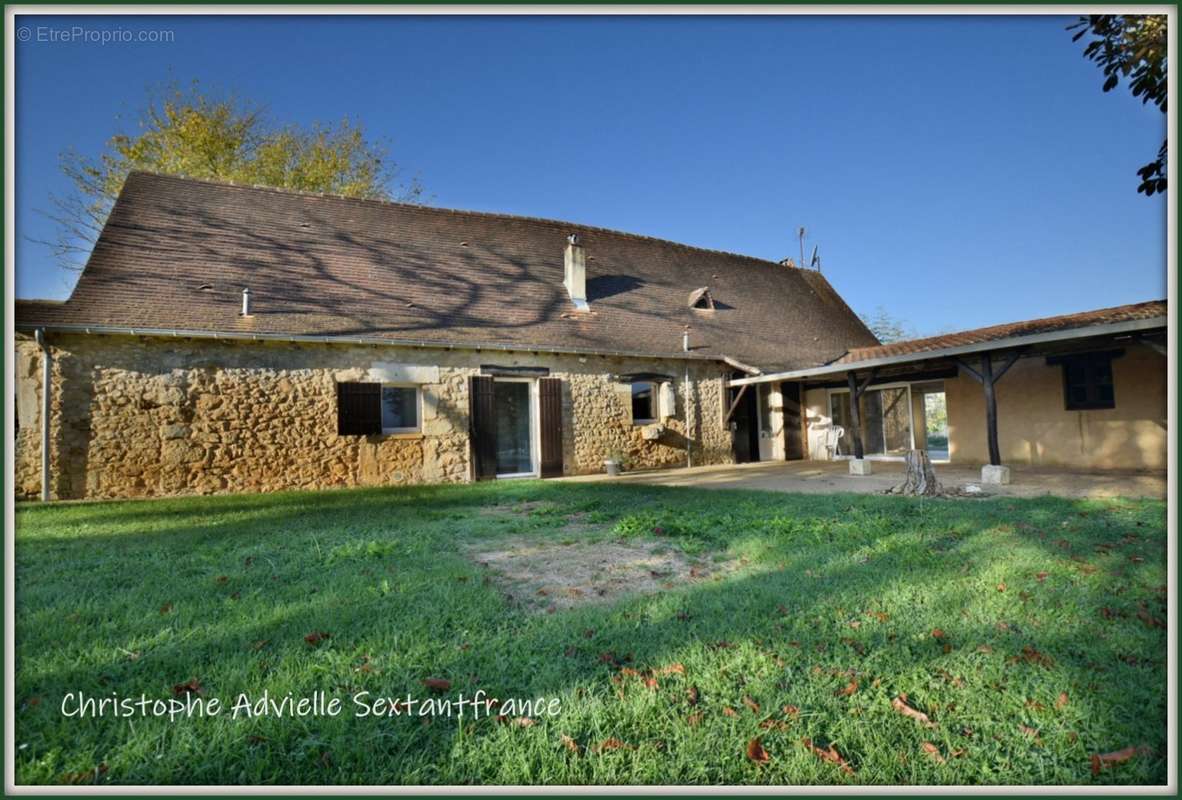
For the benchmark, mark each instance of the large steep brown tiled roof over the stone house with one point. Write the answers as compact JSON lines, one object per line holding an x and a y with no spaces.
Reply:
{"x":177,"y":253}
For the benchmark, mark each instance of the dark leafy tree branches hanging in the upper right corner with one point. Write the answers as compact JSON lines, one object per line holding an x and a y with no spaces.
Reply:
{"x":1132,"y":47}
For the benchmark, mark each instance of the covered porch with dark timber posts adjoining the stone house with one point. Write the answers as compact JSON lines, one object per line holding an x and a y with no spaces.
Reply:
{"x":1083,"y":394}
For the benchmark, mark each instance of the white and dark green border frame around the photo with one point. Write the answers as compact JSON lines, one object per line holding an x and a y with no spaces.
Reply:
{"x":11,"y":12}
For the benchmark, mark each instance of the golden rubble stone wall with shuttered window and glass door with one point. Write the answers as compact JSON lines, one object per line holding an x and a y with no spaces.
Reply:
{"x":138,"y":417}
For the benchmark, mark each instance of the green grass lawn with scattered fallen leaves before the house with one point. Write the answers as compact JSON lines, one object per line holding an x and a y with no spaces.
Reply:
{"x":1029,"y":633}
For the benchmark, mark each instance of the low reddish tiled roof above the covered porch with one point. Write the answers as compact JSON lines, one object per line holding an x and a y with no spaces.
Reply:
{"x":1151,"y":310}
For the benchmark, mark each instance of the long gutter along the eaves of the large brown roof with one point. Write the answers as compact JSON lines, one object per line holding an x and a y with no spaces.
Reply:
{"x":231,"y":336}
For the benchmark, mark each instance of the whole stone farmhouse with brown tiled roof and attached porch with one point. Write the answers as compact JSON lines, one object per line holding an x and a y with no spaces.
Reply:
{"x":228,"y":339}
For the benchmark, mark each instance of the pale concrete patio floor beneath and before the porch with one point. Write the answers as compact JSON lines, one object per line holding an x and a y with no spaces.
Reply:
{"x":823,"y":478}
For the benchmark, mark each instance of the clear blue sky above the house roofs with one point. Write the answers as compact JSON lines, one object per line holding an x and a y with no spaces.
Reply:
{"x":958,"y":172}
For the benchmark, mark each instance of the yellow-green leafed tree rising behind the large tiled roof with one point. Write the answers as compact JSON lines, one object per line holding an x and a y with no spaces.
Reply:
{"x":190,"y":133}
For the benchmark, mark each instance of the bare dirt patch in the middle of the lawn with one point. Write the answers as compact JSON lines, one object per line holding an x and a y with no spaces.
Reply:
{"x":547,"y":576}
